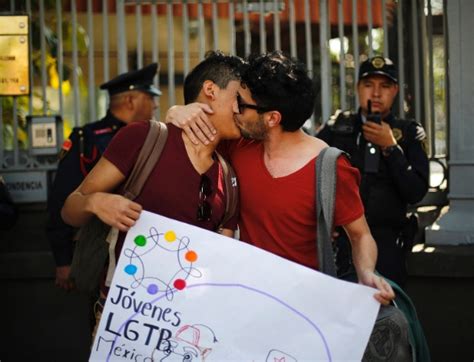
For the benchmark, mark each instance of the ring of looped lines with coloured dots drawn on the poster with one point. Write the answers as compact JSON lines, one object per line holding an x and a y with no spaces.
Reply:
{"x":165,"y":242}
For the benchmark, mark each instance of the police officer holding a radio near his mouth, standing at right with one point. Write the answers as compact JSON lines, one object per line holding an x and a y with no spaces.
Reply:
{"x":390,"y":155}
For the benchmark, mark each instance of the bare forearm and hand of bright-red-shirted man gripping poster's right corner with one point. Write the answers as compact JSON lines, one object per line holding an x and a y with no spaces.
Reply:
{"x":364,"y":255}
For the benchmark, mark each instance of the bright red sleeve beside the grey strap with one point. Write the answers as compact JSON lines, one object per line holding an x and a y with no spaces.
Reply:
{"x":349,"y":205}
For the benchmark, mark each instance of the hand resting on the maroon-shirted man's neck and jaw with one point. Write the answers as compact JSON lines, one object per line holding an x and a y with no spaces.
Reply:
{"x":194,"y":121}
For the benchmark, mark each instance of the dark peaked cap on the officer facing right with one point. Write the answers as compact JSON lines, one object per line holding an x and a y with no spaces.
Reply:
{"x":141,"y":80}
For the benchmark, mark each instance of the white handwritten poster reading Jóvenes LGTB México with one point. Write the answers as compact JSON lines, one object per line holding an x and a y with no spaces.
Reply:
{"x":181,"y":293}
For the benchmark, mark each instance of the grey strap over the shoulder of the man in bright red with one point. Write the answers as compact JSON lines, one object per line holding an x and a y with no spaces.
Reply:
{"x":326,"y":177}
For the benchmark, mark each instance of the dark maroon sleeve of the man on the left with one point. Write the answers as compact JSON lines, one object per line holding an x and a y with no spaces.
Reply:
{"x":123,"y":150}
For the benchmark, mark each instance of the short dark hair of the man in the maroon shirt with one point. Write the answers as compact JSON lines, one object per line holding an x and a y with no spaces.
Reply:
{"x":218,"y":67}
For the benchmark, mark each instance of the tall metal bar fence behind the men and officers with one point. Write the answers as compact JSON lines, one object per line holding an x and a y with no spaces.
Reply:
{"x":76,"y":45}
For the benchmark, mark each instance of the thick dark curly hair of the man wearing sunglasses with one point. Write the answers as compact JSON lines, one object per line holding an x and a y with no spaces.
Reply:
{"x":278,"y":82}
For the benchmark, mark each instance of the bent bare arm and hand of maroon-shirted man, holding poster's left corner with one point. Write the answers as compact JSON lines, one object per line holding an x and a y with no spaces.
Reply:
{"x":94,"y":197}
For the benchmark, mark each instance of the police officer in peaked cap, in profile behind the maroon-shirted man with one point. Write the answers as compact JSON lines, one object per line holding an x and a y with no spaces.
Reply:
{"x":132,"y":98}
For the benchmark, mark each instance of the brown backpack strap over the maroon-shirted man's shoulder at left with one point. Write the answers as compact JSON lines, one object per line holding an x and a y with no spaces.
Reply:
{"x":147,"y":158}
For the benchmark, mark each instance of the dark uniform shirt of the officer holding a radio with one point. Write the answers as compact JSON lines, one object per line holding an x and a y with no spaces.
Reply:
{"x":402,"y":177}
